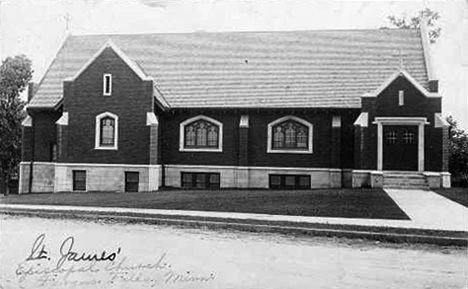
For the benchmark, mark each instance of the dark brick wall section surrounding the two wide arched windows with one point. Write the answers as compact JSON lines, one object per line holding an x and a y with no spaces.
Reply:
{"x":257,"y":140}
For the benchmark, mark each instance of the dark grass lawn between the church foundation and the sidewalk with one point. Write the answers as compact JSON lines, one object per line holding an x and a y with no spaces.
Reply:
{"x":345,"y":203}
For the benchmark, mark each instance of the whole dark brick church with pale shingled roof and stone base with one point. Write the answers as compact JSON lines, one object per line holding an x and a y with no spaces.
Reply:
{"x":279,"y":110}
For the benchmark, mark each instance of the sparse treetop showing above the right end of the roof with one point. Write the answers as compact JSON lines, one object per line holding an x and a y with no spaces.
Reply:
{"x":430,"y":16}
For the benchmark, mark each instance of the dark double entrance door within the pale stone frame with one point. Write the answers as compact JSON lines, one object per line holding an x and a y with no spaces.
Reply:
{"x":400,"y":148}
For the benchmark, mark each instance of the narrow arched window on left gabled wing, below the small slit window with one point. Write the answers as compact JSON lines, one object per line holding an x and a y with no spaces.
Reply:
{"x":106,"y":131}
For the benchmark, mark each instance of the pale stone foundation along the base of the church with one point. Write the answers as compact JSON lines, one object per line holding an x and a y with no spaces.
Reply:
{"x":58,"y":177}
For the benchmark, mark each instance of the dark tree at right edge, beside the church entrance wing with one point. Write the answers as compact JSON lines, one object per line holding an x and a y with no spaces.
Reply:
{"x":458,"y":147}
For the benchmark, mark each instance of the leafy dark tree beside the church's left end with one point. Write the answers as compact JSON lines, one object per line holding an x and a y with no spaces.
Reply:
{"x":15,"y":73}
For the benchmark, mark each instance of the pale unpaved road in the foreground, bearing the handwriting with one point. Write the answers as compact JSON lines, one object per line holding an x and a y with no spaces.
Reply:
{"x":70,"y":254}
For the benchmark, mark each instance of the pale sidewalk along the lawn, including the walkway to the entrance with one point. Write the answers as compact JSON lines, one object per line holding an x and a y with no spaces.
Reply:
{"x":427,"y":210}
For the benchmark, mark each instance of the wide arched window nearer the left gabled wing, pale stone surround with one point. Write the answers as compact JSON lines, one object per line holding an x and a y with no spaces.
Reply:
{"x":200,"y":133}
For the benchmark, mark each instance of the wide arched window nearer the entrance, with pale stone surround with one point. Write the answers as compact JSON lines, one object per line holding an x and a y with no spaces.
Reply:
{"x":290,"y":135}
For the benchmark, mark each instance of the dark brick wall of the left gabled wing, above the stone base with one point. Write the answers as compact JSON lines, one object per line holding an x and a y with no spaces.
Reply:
{"x":131,"y":99}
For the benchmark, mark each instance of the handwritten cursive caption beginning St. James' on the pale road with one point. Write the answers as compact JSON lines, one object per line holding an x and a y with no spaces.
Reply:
{"x":69,"y":267}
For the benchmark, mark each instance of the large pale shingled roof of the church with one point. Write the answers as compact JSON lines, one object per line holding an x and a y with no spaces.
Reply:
{"x":326,"y":69}
